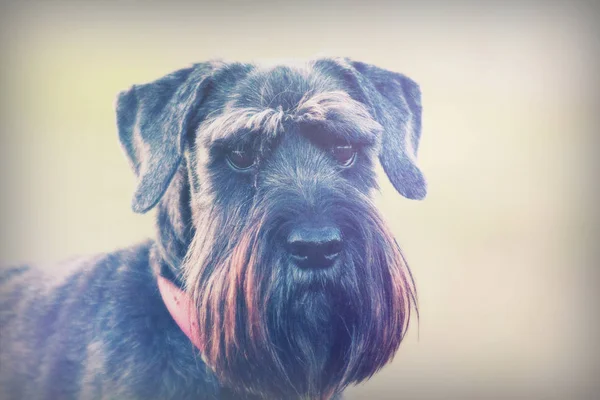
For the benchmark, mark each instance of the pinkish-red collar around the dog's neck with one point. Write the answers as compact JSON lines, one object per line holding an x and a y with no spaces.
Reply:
{"x":181,"y":308}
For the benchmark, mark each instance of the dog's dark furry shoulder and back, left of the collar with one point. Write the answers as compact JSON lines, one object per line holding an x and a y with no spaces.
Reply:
{"x":94,"y":327}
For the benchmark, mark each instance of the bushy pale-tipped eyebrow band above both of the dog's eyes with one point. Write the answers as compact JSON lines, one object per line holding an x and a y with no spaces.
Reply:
{"x":334,"y":113}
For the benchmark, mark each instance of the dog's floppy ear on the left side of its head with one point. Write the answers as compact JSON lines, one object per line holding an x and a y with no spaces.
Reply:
{"x":152,"y":120}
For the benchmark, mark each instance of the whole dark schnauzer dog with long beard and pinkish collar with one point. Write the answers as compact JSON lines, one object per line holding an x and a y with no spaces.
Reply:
{"x":272,"y":276}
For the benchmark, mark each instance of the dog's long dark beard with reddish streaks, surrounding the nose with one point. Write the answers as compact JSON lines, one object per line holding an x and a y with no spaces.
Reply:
{"x":278,"y":332}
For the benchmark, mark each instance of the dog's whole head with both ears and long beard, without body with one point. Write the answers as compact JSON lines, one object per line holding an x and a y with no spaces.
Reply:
{"x":300,"y":287}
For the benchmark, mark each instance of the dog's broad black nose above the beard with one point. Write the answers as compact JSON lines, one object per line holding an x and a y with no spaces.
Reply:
{"x":315,"y":247}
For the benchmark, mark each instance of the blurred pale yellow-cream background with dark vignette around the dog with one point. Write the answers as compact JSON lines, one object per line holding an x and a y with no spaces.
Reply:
{"x":502,"y":249}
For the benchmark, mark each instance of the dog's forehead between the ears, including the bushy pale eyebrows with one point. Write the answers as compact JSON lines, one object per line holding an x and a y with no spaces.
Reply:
{"x":269,"y":97}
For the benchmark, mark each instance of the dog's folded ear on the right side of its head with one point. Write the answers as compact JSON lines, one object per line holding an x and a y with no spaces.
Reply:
{"x":396,"y":101}
